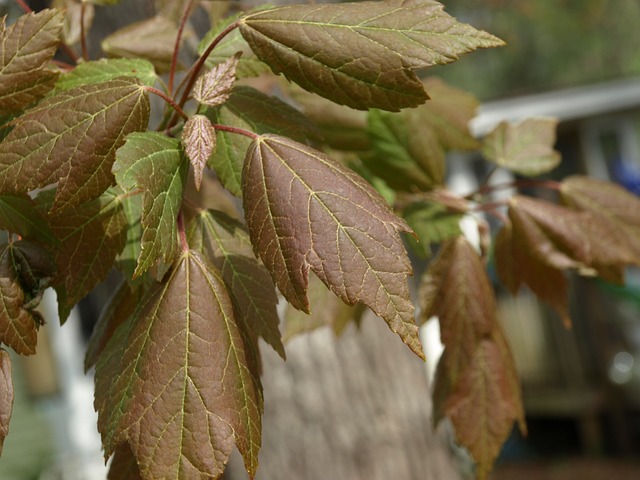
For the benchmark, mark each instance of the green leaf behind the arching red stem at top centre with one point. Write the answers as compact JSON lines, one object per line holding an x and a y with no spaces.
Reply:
{"x":232,"y":43}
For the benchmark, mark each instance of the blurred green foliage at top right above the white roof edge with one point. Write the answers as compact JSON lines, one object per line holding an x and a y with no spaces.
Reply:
{"x":551,"y":44}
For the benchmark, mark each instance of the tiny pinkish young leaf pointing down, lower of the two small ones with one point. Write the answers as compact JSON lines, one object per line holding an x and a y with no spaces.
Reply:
{"x":199,"y":142}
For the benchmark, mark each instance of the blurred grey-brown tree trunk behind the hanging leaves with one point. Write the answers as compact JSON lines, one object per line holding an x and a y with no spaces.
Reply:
{"x":356,"y":407}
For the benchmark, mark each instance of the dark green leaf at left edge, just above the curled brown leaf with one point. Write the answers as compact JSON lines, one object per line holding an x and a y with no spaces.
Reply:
{"x":19,"y":214}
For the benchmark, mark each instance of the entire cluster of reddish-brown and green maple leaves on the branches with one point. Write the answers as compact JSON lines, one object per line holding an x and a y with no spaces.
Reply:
{"x":86,"y":186}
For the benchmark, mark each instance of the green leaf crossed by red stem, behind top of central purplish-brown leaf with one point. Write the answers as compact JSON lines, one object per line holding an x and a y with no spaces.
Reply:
{"x":254,"y":111}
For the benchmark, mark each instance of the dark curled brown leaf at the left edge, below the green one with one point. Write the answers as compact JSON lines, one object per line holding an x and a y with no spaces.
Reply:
{"x":25,"y":270}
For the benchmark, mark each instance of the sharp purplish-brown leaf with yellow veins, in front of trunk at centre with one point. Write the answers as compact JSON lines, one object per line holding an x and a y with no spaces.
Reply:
{"x":305,"y":211}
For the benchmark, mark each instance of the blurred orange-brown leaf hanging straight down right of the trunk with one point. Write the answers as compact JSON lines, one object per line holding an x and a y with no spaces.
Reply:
{"x":476,"y":384}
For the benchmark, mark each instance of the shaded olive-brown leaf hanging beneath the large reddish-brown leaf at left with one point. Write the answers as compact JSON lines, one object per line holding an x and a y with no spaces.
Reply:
{"x":90,"y":237}
